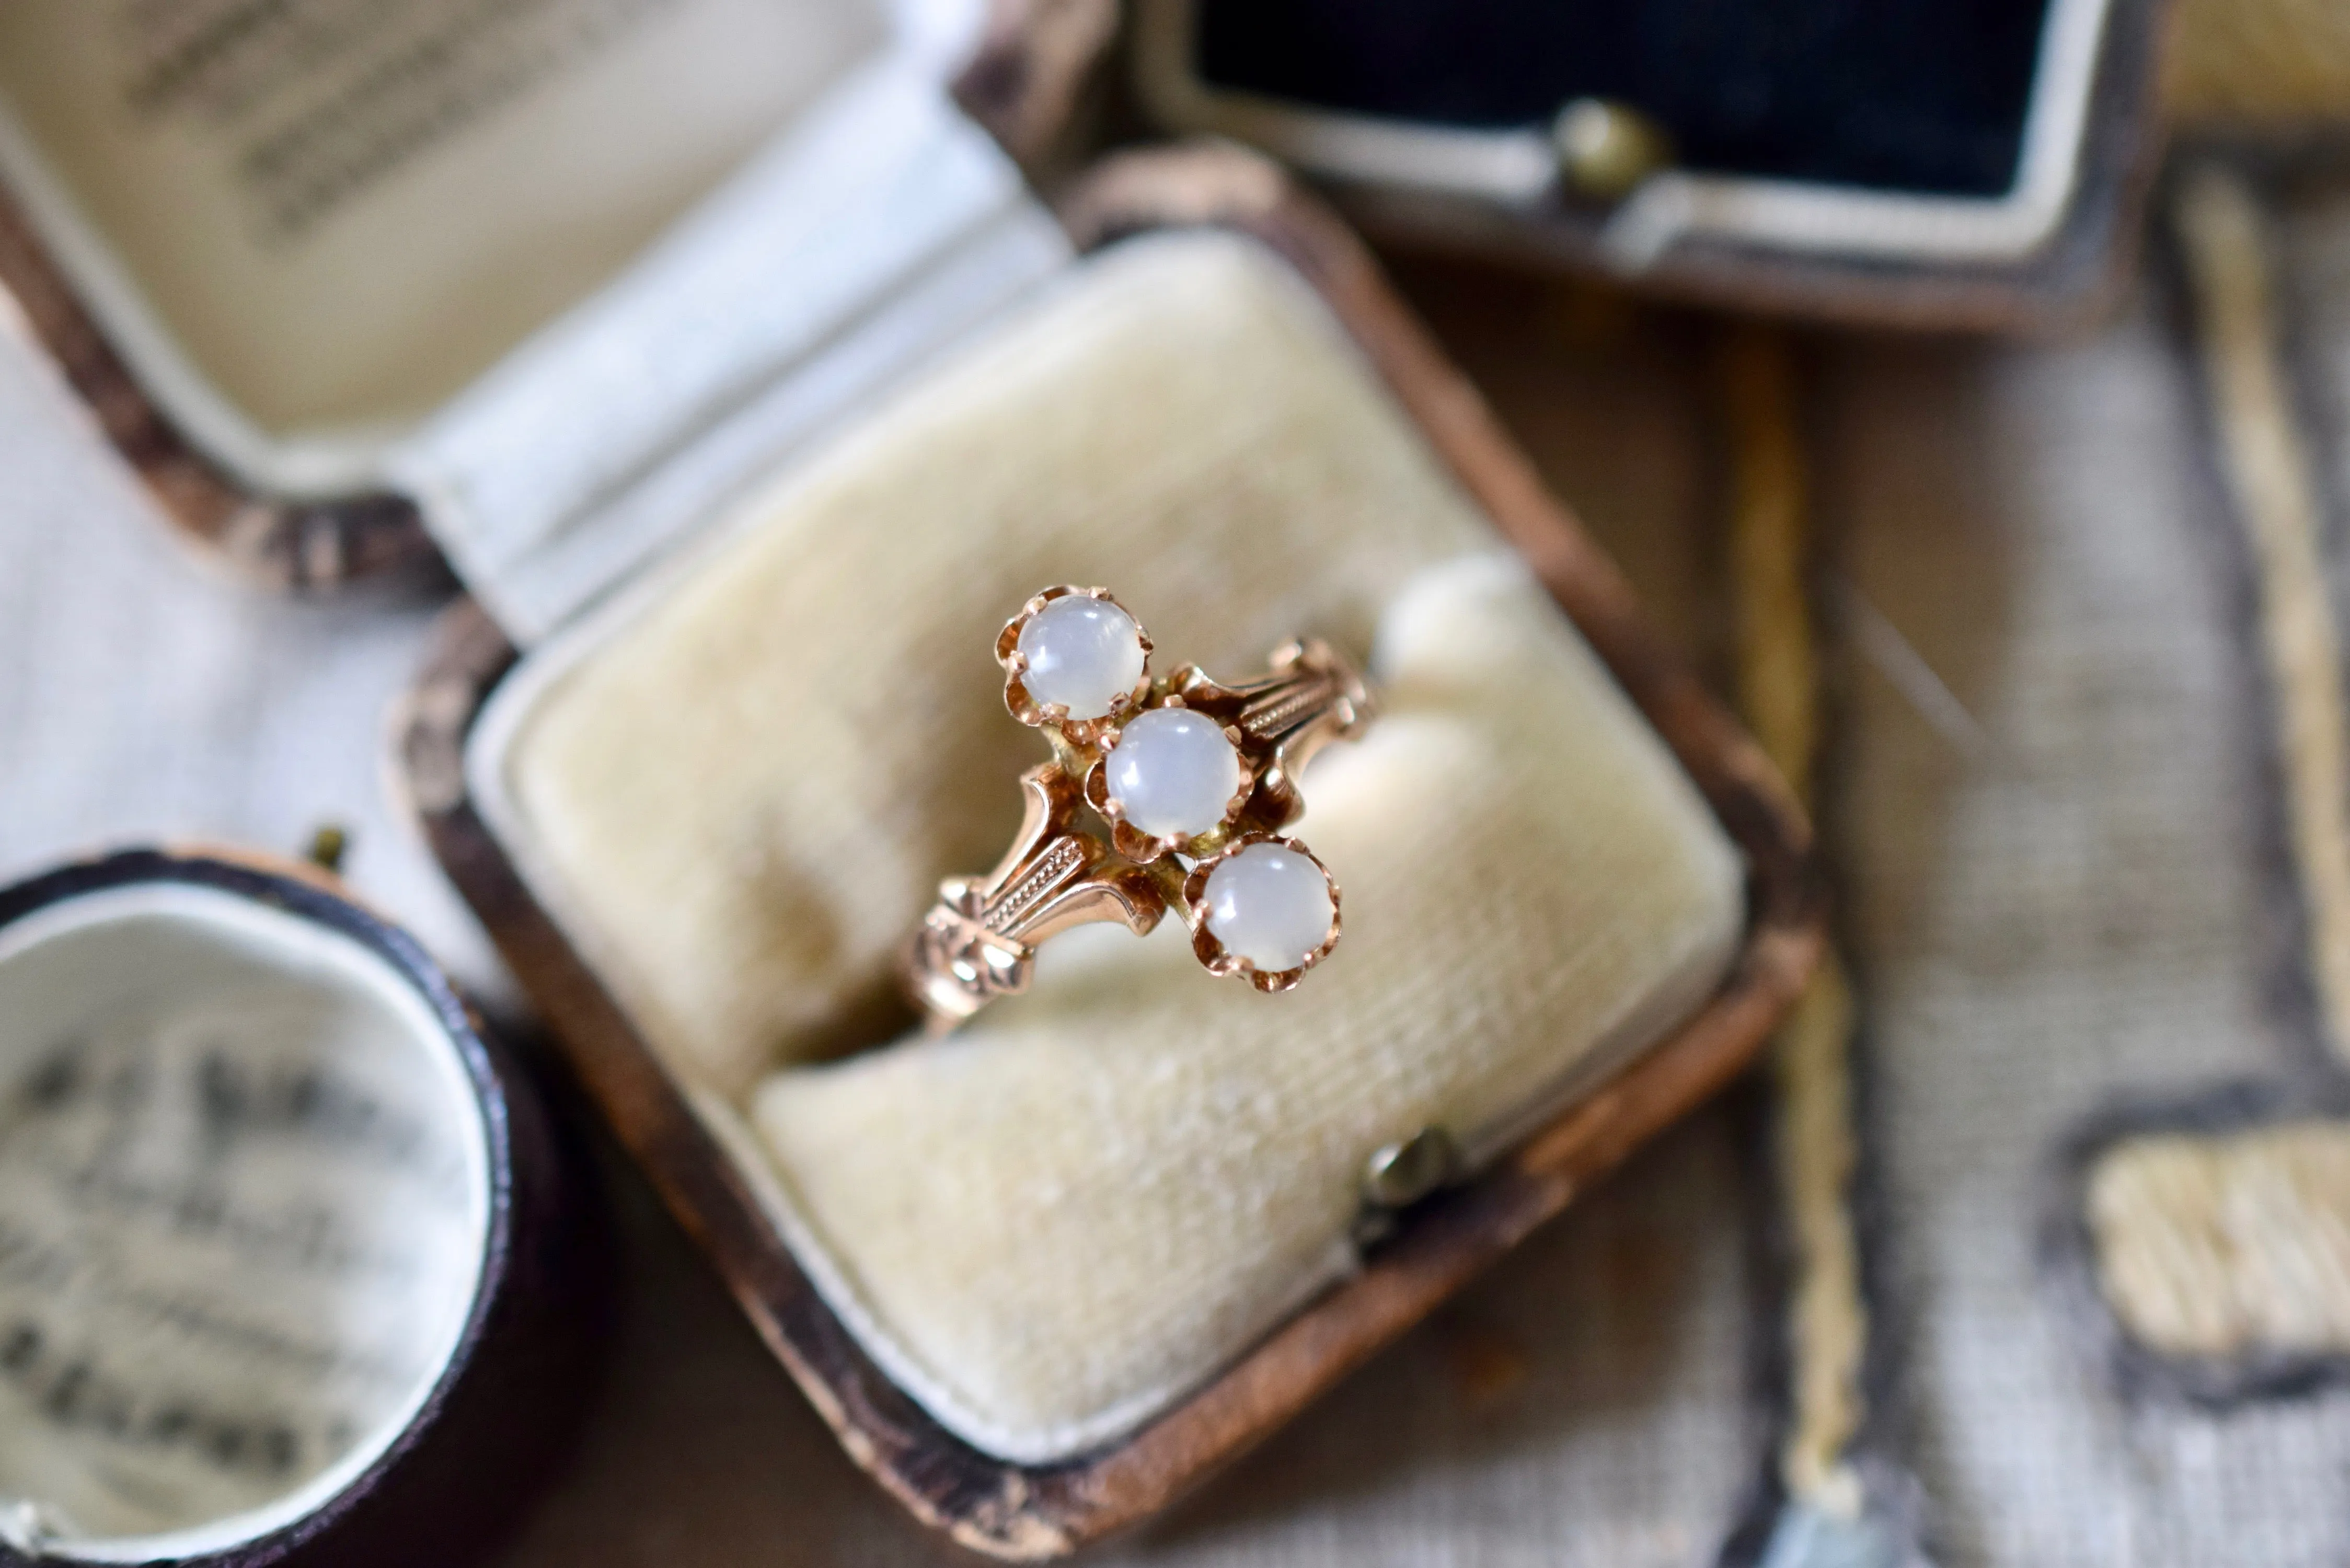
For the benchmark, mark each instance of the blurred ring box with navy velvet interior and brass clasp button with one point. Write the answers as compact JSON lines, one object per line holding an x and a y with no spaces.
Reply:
{"x":1884,"y":166}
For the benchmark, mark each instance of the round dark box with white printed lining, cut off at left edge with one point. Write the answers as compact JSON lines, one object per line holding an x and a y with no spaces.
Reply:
{"x":293,"y":1261}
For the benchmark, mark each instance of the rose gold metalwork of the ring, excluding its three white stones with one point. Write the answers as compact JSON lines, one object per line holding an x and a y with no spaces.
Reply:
{"x":981,"y":939}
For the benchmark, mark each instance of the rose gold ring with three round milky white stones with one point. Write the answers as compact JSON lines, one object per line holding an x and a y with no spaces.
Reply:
{"x":1190,"y":784}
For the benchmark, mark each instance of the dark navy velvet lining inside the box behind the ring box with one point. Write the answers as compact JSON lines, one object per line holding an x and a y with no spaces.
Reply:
{"x":1860,"y":93}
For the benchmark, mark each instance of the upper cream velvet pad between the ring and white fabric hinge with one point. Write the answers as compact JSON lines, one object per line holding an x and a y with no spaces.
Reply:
{"x":746,"y":784}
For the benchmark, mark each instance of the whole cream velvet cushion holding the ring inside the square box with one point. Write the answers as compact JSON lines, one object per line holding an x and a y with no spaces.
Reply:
{"x":739,"y":786}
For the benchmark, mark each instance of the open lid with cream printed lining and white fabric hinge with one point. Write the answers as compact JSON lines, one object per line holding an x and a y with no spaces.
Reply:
{"x":551,"y":323}
